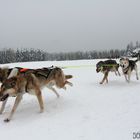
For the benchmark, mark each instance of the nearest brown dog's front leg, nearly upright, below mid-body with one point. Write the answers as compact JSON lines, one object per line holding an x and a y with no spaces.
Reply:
{"x":40,"y":100}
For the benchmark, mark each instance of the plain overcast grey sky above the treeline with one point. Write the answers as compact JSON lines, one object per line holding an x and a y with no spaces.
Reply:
{"x":69,"y":25}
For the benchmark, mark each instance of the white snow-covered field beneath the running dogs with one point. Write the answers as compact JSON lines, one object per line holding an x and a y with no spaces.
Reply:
{"x":86,"y":111}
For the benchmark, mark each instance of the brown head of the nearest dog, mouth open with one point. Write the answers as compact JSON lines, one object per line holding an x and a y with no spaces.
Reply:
{"x":8,"y":88}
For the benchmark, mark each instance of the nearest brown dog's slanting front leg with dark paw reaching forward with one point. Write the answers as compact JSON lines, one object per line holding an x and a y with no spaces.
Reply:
{"x":17,"y":101}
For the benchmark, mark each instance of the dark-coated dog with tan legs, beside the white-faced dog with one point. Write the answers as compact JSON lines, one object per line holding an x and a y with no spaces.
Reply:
{"x":105,"y":67}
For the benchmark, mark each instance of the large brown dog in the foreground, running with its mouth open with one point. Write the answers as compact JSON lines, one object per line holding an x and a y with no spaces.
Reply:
{"x":31,"y":83}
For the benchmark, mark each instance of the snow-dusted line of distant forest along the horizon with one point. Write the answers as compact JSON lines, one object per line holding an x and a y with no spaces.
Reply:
{"x":25,"y":55}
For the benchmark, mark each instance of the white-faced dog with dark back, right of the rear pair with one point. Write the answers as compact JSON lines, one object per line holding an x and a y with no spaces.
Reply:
{"x":127,"y":67}
